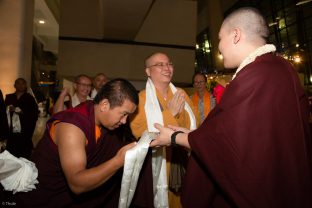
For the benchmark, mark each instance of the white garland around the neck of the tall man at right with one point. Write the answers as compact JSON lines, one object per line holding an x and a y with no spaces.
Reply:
{"x":268,"y":48}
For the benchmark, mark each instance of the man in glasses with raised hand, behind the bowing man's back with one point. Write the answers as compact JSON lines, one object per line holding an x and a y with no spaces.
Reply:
{"x":82,"y":86}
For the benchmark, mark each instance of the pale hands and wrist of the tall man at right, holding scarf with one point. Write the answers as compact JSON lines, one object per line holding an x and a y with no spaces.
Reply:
{"x":164,"y":137}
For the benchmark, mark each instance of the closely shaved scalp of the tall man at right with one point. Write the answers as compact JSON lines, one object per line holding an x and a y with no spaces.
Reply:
{"x":250,"y":21}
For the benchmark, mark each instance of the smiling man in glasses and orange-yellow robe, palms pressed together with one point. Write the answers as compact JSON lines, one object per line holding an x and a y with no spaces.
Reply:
{"x":162,"y":102}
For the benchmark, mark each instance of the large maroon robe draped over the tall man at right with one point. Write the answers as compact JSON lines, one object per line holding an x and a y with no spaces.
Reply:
{"x":254,"y":148}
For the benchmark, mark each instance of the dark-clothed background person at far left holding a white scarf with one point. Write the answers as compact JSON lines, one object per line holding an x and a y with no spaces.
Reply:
{"x":22,"y":113}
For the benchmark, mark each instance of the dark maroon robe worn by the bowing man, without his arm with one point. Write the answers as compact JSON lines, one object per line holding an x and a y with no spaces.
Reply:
{"x":52,"y":190}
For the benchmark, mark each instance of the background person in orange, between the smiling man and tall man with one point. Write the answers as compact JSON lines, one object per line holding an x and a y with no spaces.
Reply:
{"x":203,"y":100}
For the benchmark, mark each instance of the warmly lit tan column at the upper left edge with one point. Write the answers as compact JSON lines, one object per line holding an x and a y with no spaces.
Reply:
{"x":16,"y":20}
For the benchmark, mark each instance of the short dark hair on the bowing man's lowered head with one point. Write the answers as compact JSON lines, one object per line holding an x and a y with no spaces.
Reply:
{"x":116,"y":91}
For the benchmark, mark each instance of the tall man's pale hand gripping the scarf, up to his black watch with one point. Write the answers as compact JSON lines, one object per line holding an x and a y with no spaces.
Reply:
{"x":164,"y":137}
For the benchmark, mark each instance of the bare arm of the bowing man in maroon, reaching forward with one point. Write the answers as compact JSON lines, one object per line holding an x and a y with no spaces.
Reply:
{"x":71,"y":143}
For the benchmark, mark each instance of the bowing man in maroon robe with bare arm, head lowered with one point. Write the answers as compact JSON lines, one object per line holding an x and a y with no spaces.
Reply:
{"x":80,"y":157}
